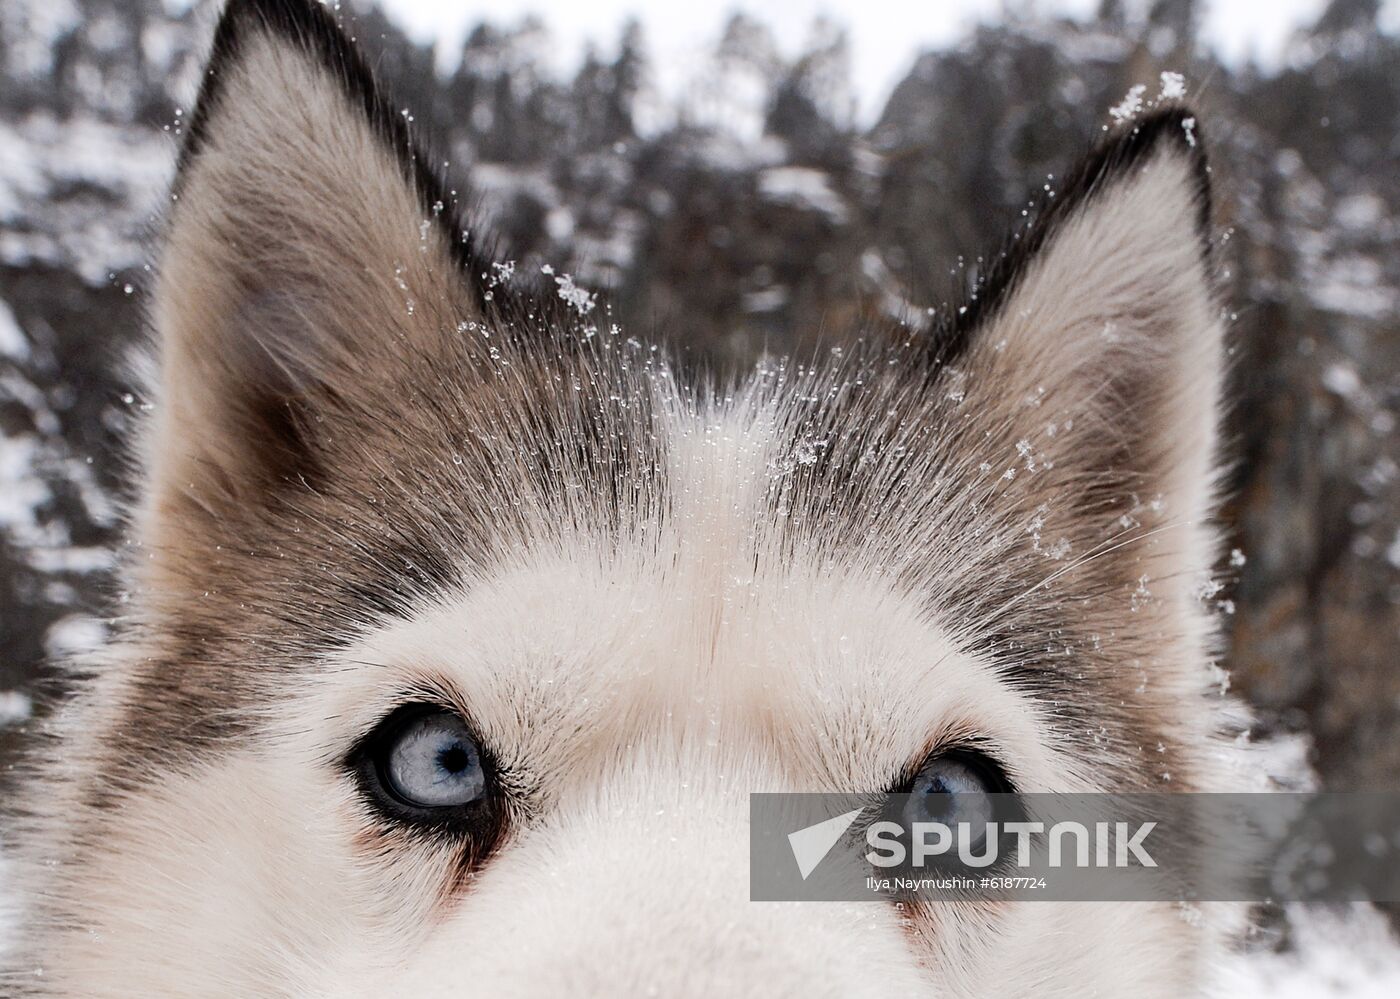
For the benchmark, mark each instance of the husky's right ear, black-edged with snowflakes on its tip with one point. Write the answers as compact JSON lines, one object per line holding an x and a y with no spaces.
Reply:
{"x":1095,"y":341}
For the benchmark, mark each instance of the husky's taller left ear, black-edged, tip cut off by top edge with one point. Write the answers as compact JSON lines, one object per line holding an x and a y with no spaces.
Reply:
{"x":309,"y":250}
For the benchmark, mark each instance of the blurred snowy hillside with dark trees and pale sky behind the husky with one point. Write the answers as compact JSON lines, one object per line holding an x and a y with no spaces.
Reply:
{"x":741,"y":183}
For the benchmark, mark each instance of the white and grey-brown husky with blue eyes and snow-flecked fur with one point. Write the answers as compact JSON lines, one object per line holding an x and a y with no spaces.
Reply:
{"x":458,"y":633}
